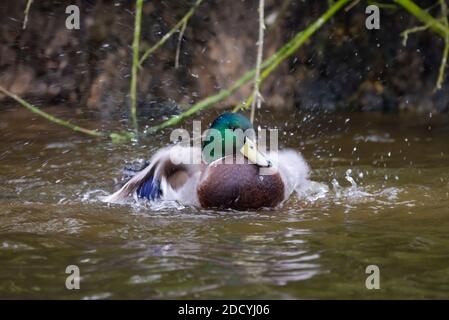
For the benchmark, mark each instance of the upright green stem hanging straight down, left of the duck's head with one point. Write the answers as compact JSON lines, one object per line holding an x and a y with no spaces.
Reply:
{"x":135,"y":64}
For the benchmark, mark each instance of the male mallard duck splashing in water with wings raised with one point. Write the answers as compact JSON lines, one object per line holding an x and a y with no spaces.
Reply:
{"x":213,"y":182}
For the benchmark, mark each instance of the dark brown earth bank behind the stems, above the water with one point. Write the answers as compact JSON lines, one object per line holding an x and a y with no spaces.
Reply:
{"x":342,"y":66}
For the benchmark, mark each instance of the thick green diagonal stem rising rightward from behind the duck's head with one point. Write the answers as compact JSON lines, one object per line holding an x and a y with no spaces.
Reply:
{"x":271,"y":63}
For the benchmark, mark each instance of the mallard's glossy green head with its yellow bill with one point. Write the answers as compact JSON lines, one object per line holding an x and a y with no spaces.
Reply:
{"x":231,"y":133}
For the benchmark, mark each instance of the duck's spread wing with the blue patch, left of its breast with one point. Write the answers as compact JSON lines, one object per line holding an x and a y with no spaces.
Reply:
{"x":172,"y":174}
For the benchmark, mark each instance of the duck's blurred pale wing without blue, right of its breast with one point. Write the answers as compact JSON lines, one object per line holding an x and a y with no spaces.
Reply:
{"x":294,"y":171}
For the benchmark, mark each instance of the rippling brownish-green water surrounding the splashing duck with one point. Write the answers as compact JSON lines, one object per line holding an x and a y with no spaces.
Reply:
{"x":383,"y":200}
